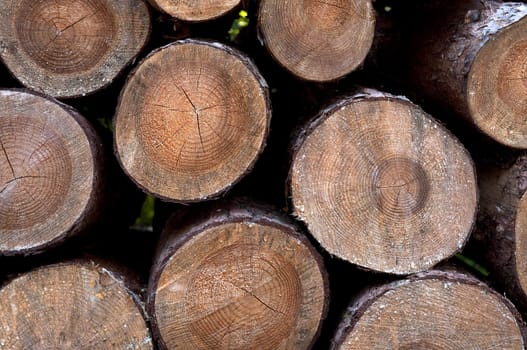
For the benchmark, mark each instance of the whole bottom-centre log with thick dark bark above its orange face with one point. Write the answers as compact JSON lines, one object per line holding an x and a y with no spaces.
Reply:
{"x":236,"y":277}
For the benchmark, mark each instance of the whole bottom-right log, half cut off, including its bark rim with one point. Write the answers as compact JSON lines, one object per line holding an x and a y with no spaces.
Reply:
{"x":432,"y":310}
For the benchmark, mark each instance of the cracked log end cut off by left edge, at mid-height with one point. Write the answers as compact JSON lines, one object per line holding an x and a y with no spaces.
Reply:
{"x":49,"y":172}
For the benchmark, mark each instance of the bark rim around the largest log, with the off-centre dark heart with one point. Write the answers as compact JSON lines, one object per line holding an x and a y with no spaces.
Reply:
{"x":364,"y":94}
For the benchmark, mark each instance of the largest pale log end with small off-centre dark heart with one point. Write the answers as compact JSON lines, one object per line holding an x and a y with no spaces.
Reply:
{"x":382,"y":185}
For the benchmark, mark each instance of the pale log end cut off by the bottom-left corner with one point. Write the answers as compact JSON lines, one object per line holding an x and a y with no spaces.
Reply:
{"x":71,"y":306}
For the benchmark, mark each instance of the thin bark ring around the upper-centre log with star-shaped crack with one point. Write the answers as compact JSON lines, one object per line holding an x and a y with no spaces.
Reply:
{"x":249,"y":64}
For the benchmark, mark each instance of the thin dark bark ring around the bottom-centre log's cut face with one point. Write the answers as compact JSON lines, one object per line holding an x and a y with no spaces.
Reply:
{"x":184,"y":225}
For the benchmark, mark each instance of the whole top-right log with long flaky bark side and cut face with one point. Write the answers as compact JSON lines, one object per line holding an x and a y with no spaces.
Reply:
{"x":468,"y":56}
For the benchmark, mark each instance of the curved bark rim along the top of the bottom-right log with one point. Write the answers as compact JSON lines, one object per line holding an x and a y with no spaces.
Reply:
{"x":368,"y":296}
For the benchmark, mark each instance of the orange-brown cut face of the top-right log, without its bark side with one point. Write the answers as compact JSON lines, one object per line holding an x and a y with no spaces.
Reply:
{"x":496,"y":86}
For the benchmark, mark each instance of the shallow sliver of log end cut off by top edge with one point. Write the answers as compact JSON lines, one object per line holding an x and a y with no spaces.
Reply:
{"x":197,"y":10}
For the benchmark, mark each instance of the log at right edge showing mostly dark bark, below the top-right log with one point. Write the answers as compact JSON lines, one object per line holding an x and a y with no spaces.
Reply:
{"x":502,"y":229}
